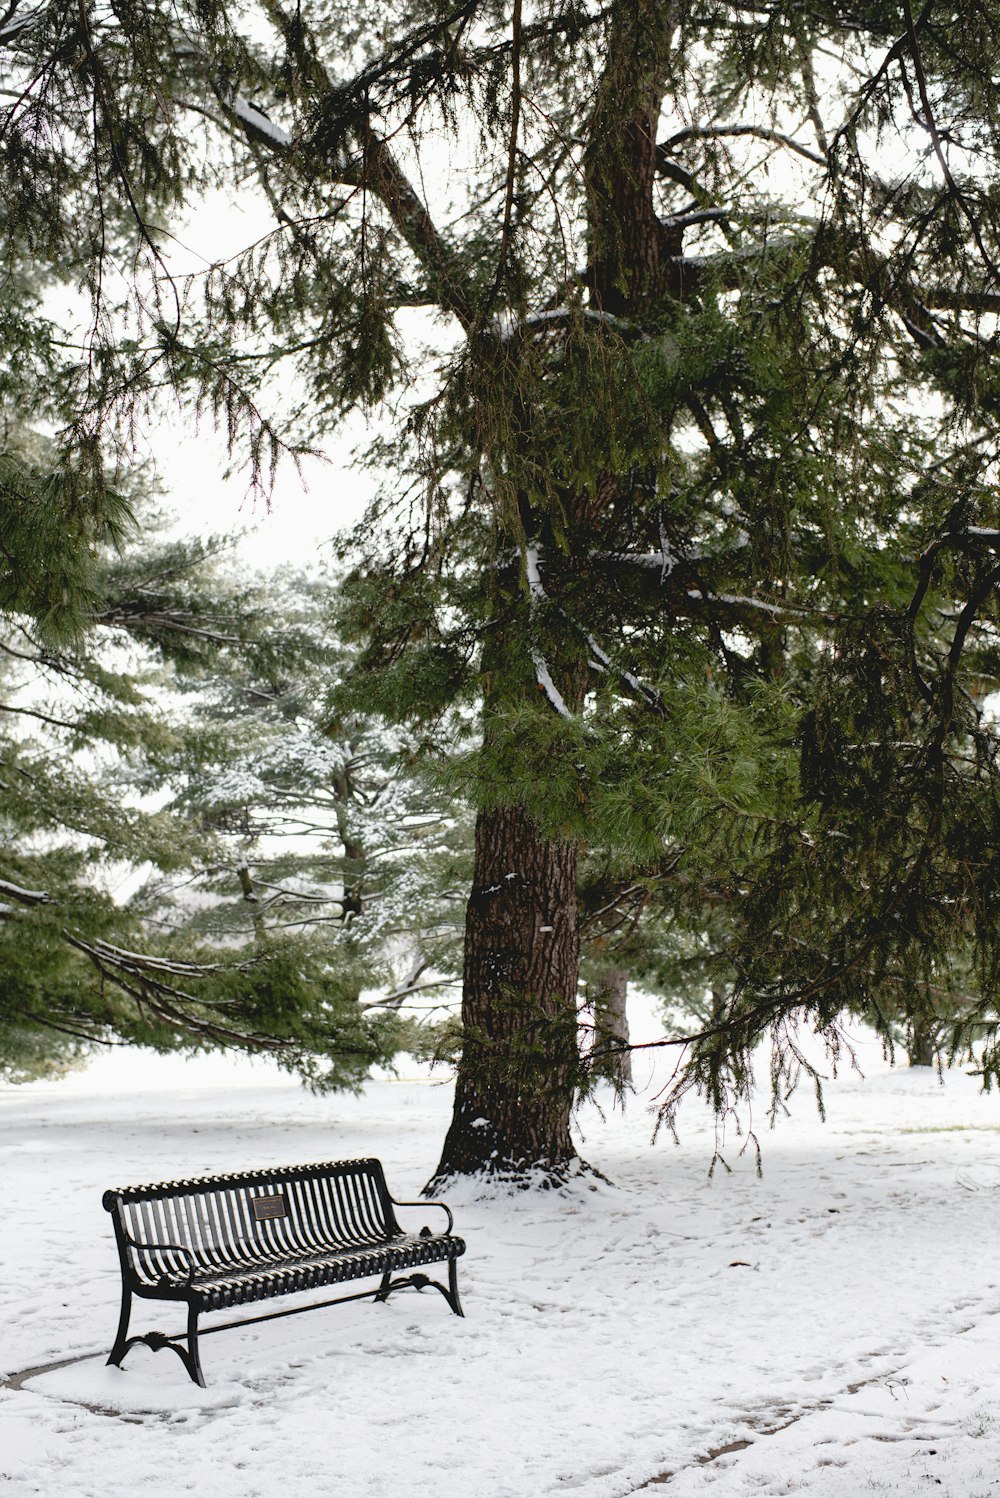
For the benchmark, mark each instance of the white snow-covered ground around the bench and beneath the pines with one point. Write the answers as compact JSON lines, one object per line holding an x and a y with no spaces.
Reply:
{"x":829,"y":1331}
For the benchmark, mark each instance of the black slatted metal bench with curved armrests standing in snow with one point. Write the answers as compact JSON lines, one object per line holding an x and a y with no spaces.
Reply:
{"x":225,"y":1241}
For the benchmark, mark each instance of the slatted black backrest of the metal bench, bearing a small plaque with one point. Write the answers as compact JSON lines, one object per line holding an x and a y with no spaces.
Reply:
{"x":258,"y":1217}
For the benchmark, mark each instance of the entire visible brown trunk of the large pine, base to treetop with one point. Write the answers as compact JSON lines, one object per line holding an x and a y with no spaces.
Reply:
{"x":520,"y":1061}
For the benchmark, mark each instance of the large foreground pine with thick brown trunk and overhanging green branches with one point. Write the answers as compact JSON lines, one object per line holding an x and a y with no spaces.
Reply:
{"x":698,"y":519}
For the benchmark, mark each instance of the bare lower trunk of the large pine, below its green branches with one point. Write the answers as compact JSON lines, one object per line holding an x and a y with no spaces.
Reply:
{"x":517,"y":1075}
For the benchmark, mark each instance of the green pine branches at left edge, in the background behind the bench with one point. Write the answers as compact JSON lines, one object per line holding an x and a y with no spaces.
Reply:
{"x":101,"y":753}
